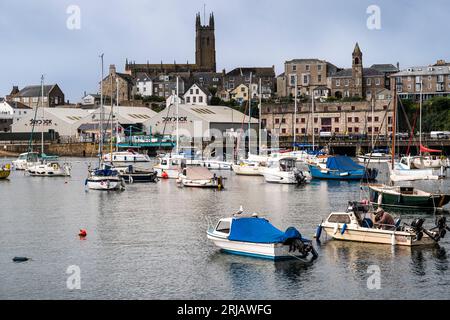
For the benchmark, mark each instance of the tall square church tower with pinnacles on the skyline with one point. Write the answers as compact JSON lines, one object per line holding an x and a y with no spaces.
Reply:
{"x":205,"y":44}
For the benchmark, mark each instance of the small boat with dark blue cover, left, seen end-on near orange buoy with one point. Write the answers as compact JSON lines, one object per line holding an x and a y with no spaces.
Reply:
{"x":106,"y":178}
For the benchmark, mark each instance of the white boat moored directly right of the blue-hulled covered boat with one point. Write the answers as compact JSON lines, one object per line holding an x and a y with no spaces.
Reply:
{"x":404,"y":171}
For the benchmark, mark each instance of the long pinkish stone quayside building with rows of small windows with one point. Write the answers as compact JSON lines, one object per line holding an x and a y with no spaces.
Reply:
{"x":343,"y":118}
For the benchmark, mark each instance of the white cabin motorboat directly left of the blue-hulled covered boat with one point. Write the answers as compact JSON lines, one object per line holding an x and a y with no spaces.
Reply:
{"x":284,"y":171}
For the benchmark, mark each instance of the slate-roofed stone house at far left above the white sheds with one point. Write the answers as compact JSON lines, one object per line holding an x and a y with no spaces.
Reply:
{"x":31,"y":96}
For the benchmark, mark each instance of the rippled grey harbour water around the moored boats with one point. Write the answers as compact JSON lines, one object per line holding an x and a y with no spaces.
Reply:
{"x":149,"y":242}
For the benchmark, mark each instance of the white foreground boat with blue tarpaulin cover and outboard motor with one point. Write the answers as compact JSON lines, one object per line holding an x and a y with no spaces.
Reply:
{"x":257,"y":237}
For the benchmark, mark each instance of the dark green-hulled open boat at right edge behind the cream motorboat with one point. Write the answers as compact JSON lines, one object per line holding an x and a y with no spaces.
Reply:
{"x":406,"y":198}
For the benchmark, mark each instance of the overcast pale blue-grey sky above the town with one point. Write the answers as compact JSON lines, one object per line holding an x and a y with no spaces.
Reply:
{"x":35,"y":39}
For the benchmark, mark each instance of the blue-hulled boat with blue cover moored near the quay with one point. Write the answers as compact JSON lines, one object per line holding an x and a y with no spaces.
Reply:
{"x":341,"y":168}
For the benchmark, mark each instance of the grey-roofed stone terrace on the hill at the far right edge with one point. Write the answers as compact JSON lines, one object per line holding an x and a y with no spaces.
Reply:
{"x":435,"y":79}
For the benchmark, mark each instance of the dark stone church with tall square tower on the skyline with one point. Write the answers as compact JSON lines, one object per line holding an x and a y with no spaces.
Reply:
{"x":205,"y":55}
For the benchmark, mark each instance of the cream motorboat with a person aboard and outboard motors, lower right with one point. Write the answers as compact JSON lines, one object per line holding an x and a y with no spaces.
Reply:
{"x":354,"y":225}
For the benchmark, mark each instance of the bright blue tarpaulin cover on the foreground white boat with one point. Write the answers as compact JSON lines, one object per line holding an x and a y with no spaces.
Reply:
{"x":259,"y":230}
